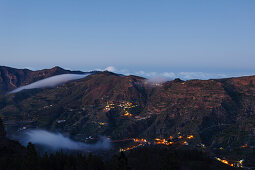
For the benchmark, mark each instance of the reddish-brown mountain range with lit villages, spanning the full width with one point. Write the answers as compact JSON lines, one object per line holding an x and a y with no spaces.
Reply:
{"x":218,"y":112}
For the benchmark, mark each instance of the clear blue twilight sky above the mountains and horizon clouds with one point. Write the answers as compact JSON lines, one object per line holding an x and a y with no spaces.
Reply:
{"x":216,"y":37}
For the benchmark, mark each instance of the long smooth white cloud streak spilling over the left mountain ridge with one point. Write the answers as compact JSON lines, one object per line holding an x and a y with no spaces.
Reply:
{"x":50,"y":82}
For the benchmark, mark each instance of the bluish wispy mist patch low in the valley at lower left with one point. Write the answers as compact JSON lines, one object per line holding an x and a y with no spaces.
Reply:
{"x":56,"y":141}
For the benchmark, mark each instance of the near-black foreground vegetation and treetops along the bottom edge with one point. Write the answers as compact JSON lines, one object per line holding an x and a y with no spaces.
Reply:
{"x":143,"y":158}
